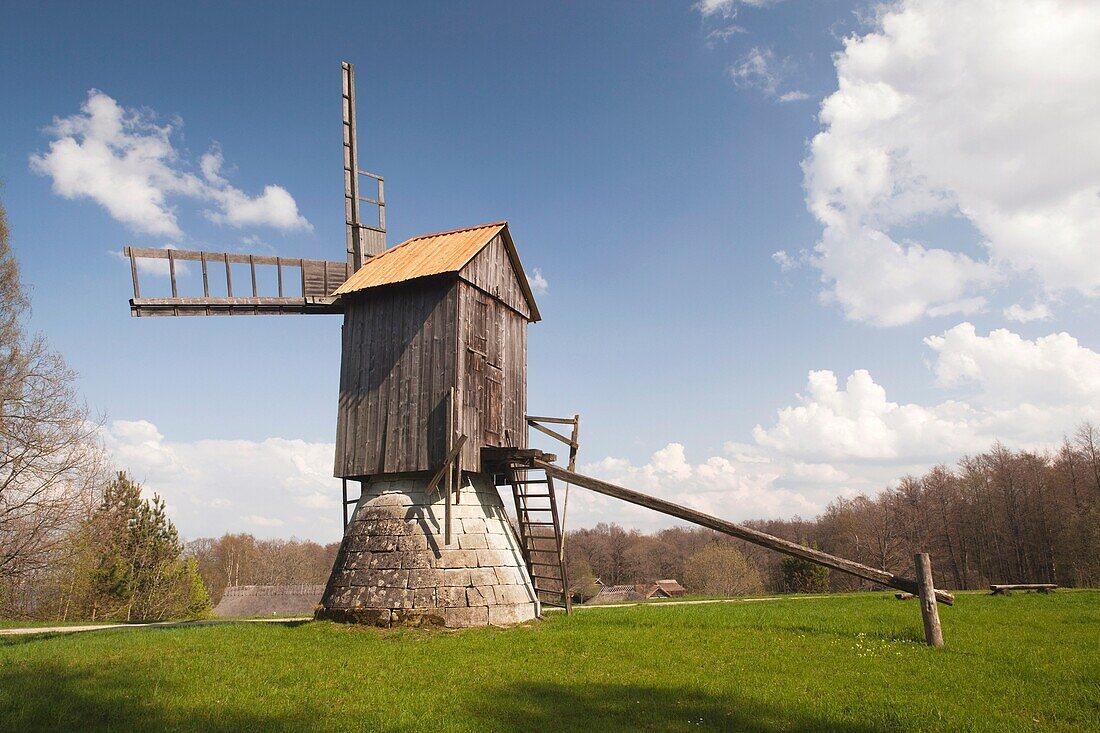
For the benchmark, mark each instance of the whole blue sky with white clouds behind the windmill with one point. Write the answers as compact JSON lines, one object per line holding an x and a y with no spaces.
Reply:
{"x":705,"y":253}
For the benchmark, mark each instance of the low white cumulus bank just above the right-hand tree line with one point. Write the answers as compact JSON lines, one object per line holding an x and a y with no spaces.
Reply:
{"x":845,"y":437}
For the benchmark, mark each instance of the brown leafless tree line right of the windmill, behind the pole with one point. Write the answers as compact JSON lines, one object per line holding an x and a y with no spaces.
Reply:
{"x":1002,"y":517}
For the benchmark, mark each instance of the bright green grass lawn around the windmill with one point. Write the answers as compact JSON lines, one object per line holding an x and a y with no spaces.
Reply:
{"x":855,"y":663}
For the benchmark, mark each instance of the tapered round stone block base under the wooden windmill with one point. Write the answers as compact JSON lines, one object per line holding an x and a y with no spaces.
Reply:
{"x":393,"y":568}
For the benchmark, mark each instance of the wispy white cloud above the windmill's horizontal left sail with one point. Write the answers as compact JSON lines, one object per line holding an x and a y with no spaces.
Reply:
{"x":126,"y":162}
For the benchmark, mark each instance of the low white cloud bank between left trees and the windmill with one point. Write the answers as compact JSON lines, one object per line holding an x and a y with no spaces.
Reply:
{"x":278,"y":486}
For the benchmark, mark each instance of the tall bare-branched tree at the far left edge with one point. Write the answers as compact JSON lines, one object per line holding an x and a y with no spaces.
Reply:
{"x":50,"y":457}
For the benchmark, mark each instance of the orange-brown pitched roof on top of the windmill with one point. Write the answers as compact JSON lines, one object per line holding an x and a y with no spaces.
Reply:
{"x":435,"y":255}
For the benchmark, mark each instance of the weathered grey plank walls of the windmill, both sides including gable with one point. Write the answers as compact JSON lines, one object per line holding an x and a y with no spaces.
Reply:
{"x":405,"y":346}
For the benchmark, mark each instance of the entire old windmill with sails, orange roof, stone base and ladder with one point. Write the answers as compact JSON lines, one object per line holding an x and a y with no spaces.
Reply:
{"x":432,"y":410}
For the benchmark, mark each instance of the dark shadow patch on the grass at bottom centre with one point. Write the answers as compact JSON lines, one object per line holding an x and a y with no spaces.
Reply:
{"x":610,"y":707}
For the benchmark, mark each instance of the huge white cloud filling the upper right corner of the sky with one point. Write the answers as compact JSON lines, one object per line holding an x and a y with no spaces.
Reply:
{"x":981,"y":111}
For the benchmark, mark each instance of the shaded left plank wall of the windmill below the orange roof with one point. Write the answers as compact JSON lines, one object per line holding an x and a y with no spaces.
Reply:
{"x":398,"y":368}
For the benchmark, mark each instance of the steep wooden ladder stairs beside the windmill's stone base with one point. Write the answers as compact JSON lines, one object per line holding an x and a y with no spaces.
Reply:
{"x":541,"y":537}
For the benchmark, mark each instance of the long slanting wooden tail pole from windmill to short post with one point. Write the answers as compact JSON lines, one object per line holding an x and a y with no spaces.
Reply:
{"x":741,"y":532}
